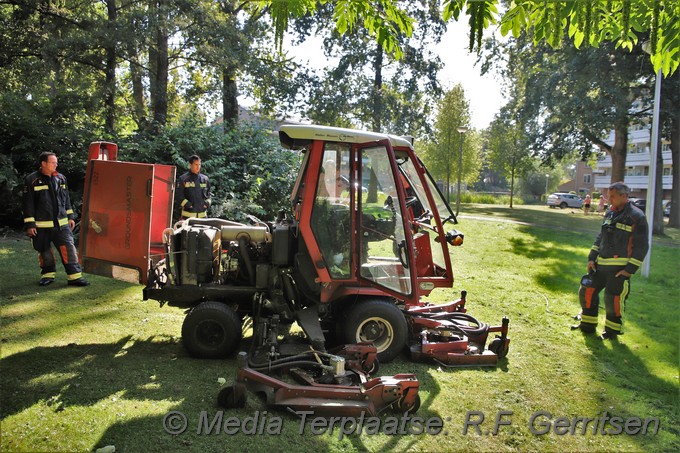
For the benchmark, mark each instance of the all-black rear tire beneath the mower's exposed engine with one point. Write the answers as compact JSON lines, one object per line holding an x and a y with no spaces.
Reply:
{"x":211,"y":330}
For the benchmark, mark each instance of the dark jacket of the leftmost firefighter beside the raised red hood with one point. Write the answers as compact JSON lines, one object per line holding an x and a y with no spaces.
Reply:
{"x":46,"y":202}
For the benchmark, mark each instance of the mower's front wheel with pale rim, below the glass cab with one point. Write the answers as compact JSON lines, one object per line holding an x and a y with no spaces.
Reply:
{"x":378,"y":321}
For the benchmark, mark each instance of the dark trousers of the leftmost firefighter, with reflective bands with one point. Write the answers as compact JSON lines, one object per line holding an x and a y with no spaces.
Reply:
{"x":62,"y":238}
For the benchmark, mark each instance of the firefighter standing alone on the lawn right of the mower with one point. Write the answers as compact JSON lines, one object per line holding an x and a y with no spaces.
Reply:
{"x":617,"y":253}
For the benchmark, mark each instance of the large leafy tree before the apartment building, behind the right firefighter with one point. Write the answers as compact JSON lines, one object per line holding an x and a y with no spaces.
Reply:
{"x":570,"y":100}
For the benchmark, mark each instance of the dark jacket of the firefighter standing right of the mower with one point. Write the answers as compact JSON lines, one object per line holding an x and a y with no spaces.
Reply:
{"x":622,"y":240}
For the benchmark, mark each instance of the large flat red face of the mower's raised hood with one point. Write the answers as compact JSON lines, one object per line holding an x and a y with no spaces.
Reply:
{"x":115,"y":228}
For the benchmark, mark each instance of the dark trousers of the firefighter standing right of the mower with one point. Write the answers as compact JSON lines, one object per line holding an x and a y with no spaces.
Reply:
{"x":616,"y":290}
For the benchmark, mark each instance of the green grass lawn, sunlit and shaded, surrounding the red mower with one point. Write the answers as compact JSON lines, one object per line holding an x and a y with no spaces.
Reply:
{"x":83,"y":368}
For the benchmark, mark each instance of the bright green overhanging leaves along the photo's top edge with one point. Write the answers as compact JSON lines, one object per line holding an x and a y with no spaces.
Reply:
{"x":588,"y":22}
